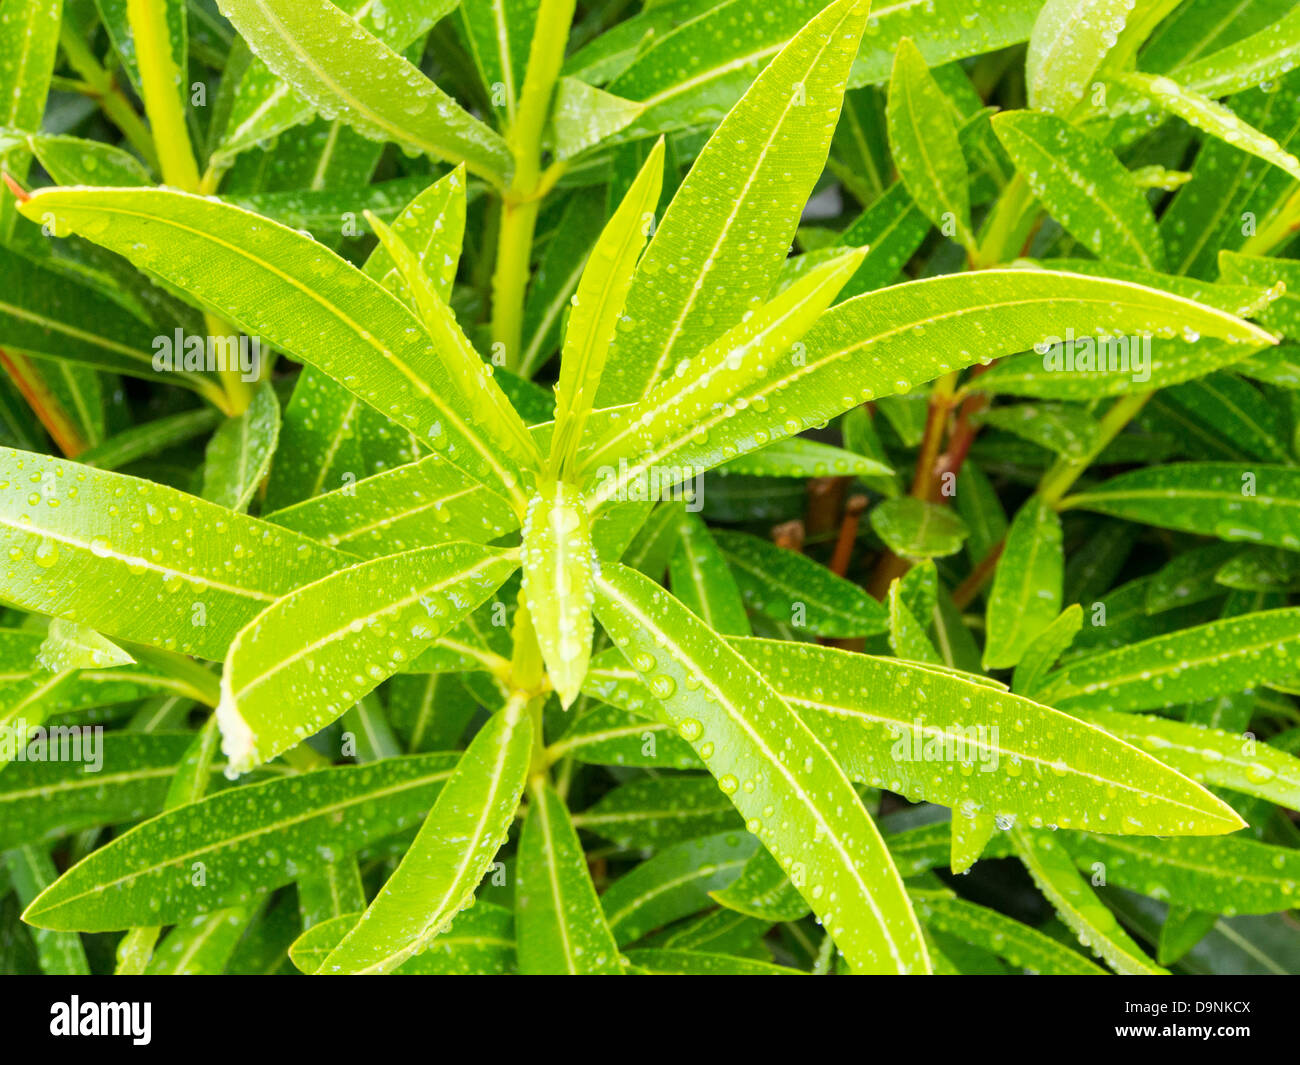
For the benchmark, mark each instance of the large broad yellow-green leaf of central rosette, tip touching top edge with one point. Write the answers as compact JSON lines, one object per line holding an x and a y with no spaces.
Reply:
{"x":726,"y":235}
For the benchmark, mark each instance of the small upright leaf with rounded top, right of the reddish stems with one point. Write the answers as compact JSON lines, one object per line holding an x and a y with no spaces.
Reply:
{"x":1026,"y":596}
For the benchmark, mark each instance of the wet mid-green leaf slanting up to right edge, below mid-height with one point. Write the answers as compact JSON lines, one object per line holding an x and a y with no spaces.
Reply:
{"x":1185,"y":666}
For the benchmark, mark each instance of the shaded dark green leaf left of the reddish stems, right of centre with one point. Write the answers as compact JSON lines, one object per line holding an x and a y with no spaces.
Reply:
{"x":791,"y":588}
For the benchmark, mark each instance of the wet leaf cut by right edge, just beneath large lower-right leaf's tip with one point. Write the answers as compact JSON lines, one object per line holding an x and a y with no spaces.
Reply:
{"x":1224,"y":876}
